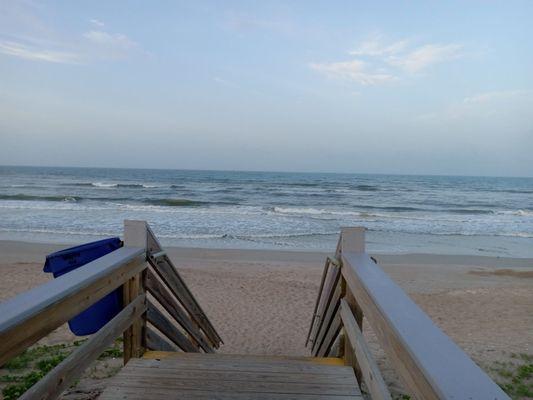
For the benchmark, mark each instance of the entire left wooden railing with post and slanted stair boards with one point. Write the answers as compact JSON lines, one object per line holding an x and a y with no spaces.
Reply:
{"x":159,"y":311}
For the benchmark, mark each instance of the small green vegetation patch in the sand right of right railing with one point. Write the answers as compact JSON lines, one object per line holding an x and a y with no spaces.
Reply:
{"x":515,"y":377}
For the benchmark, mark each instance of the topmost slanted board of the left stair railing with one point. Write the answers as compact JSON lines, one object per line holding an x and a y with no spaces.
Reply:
{"x":169,"y":274}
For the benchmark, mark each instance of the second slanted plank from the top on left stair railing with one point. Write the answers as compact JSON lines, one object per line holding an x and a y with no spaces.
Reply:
{"x":164,"y":297}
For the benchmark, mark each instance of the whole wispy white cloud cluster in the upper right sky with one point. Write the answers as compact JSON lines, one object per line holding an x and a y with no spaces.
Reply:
{"x":376,"y":61}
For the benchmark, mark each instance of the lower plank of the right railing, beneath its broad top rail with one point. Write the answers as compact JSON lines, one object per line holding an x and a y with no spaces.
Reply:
{"x":369,"y":369}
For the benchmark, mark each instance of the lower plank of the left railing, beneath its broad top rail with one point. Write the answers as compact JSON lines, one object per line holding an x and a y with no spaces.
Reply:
{"x":72,"y":367}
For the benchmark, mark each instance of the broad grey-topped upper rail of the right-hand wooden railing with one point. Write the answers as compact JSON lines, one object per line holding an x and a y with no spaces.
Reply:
{"x":431,"y":365}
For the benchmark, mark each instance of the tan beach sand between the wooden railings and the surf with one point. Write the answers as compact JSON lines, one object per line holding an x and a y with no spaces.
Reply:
{"x":261,"y":302}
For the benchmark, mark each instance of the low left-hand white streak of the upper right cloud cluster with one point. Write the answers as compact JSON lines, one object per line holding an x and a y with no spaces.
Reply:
{"x":356,"y":71}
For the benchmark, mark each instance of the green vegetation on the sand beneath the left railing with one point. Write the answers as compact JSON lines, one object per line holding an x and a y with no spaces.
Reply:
{"x":23,"y":371}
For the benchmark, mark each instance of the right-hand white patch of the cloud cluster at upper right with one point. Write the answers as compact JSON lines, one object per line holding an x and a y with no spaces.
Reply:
{"x":424,"y":56}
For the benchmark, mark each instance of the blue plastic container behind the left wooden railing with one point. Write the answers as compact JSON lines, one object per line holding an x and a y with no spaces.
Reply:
{"x":101,"y":312}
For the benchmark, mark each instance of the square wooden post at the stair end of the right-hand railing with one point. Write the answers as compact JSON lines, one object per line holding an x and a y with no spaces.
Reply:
{"x":352,"y":239}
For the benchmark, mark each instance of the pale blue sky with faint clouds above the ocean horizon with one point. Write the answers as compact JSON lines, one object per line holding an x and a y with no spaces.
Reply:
{"x":418,"y":87}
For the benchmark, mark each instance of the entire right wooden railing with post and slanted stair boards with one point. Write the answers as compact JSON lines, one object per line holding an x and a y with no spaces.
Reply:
{"x":429,"y":363}
